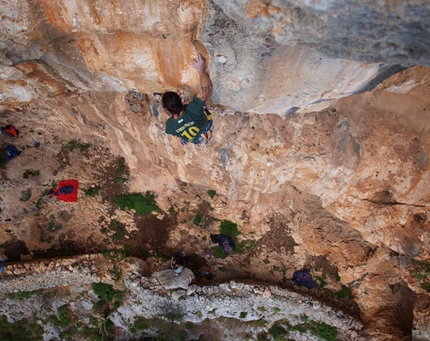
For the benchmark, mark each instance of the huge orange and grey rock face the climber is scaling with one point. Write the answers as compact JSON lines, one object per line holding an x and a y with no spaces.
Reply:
{"x":324,"y":174}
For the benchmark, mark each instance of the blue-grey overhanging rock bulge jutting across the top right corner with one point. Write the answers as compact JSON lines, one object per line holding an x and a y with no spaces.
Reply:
{"x":386,"y":31}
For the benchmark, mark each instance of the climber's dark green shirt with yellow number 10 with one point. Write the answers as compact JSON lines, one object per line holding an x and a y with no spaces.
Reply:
{"x":194,"y":118}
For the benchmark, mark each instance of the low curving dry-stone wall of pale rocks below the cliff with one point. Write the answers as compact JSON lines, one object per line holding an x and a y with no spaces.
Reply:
{"x":232,"y":300}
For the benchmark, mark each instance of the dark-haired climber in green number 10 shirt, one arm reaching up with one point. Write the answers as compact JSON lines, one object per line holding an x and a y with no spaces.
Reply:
{"x":191,"y":122}
